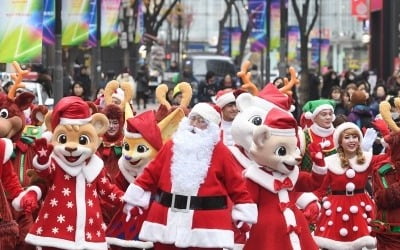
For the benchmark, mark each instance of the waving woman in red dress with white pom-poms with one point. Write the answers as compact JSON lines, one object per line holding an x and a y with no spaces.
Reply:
{"x":347,"y":208}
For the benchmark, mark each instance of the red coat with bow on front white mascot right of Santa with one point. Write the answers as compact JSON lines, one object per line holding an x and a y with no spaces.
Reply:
{"x":278,"y":211}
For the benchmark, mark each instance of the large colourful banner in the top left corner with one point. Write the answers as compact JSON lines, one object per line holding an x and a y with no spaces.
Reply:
{"x":21,"y":31}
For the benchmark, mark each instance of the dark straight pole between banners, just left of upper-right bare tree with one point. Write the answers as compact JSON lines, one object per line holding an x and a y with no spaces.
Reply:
{"x":283,"y":42}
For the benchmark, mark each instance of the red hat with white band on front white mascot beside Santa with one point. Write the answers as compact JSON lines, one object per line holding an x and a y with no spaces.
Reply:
{"x":281,"y":123}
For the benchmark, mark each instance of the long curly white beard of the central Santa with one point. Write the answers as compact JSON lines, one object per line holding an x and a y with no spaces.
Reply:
{"x":191,"y":158}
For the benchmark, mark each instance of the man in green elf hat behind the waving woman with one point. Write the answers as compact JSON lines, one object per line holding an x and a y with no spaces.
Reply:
{"x":321,"y":112}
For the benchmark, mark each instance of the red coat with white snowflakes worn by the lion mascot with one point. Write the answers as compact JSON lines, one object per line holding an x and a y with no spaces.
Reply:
{"x":70,"y":217}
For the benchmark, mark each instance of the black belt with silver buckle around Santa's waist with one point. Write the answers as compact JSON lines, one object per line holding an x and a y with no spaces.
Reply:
{"x":183,"y":202}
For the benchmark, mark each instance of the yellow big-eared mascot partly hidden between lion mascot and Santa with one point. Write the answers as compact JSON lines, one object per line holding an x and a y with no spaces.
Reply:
{"x":143,"y":138}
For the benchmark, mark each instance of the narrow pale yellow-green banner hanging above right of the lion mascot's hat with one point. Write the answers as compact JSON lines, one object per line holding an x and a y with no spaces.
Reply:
{"x":109,"y":18}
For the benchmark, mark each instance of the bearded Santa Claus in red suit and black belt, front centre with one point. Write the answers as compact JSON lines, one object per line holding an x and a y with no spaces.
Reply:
{"x":193,"y":176}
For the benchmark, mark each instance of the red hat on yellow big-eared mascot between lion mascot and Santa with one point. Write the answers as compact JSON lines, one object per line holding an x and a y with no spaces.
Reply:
{"x":144,"y":125}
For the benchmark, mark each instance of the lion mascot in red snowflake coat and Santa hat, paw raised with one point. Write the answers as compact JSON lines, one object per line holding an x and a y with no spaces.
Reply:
{"x":70,"y":217}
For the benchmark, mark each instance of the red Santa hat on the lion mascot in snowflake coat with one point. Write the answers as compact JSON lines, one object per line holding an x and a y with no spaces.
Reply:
{"x":70,"y":110}
